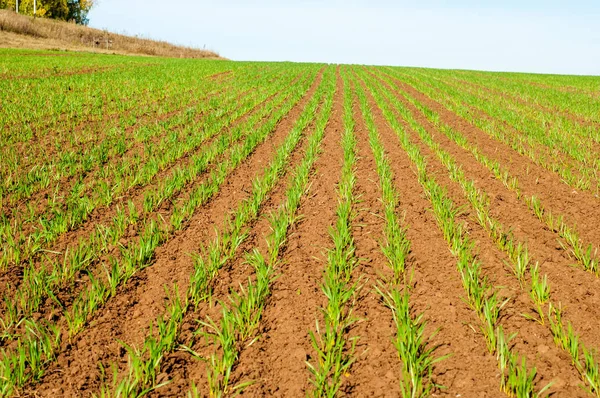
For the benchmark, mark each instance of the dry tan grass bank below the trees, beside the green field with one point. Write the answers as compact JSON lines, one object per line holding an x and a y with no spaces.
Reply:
{"x":40,"y":33}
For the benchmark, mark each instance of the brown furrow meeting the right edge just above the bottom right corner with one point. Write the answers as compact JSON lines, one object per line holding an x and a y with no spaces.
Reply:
{"x":577,"y":290}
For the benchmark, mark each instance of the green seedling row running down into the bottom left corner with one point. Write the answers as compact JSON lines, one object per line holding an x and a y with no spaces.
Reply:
{"x":37,"y":347}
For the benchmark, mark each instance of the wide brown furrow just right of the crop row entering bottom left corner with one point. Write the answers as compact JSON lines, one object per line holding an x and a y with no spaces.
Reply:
{"x":127,"y":316}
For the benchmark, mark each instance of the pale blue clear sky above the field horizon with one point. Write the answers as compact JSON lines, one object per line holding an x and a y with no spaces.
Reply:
{"x":549,"y":36}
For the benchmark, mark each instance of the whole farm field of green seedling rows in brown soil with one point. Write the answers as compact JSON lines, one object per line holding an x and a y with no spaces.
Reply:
{"x":175,"y":228}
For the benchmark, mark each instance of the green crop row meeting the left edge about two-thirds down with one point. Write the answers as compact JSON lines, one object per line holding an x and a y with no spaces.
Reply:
{"x":132,"y":172}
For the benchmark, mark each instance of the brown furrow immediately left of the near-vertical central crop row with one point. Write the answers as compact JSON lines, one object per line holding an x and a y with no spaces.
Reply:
{"x":276,"y":361}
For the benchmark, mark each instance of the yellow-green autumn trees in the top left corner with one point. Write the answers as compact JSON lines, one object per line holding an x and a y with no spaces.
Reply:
{"x":65,"y":10}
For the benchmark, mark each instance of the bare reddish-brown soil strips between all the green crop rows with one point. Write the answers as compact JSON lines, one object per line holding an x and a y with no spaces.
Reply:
{"x":274,"y":361}
